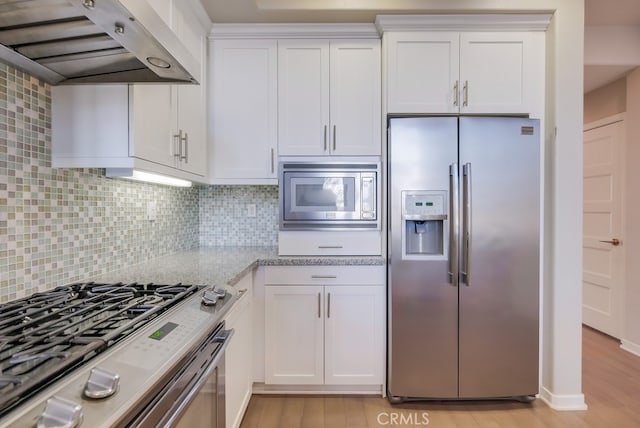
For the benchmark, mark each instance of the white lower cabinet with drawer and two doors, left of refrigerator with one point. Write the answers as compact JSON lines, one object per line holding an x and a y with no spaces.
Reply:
{"x":324,"y":325}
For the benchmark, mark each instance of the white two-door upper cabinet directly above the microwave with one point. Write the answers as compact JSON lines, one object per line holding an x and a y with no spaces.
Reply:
{"x":329,"y":97}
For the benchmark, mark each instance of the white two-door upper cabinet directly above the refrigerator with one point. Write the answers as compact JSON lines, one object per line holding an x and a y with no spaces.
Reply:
{"x":467,"y":73}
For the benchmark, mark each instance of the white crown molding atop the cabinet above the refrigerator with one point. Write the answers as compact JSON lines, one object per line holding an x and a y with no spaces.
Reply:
{"x":474,"y":22}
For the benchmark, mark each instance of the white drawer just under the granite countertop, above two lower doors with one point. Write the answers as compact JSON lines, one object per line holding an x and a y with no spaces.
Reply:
{"x":321,"y":275}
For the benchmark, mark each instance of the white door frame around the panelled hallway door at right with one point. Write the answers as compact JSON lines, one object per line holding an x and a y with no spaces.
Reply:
{"x":610,"y":120}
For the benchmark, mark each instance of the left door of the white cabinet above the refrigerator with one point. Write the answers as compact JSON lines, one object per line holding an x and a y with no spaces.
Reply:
{"x":423,"y":71}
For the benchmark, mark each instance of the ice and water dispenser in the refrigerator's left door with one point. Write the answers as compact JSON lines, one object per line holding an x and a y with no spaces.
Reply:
{"x":424,"y":233}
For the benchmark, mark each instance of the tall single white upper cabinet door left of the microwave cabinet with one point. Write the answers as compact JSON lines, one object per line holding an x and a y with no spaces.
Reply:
{"x":244,"y":96}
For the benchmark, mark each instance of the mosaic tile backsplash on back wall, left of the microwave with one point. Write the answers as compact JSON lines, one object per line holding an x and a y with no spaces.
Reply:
{"x":224,"y":220}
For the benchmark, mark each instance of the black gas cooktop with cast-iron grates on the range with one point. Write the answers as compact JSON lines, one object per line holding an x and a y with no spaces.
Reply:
{"x":46,"y":335}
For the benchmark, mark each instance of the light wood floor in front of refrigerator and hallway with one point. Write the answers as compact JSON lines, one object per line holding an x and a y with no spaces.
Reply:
{"x":611,"y":383}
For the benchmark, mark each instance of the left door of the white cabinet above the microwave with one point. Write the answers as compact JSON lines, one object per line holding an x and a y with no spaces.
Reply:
{"x":303,"y":97}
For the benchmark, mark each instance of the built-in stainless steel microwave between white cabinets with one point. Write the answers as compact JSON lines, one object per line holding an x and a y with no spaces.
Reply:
{"x":329,"y":195}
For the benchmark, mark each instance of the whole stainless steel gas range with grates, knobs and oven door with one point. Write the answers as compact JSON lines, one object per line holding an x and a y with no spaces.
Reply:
{"x":105,"y":355}
